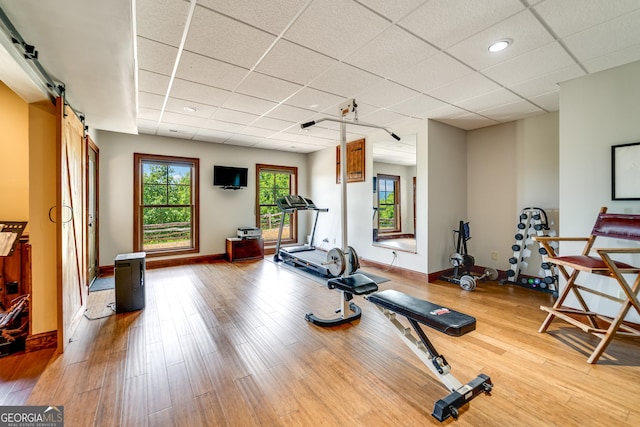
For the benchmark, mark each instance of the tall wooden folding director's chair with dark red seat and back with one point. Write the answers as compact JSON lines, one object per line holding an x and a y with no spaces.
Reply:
{"x":618,"y":226}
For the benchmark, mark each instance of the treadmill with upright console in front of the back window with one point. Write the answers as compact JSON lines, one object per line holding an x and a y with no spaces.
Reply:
{"x":306,"y":256}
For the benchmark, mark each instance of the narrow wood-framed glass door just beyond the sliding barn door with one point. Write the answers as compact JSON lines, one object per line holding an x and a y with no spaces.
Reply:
{"x":92,"y":211}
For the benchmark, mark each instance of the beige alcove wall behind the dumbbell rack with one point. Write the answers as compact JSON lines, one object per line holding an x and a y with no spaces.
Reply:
{"x":511,"y":166}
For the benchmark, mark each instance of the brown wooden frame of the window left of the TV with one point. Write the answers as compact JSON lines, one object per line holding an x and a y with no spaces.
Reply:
{"x":194,"y":163}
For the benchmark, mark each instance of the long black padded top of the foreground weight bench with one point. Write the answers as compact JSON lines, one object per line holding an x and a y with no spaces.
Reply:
{"x":445,"y":320}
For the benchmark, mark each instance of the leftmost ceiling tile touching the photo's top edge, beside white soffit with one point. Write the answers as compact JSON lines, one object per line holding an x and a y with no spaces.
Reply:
{"x":164,"y":20}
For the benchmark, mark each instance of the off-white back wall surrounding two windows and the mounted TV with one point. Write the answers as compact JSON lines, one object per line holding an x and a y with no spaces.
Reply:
{"x":221,"y":211}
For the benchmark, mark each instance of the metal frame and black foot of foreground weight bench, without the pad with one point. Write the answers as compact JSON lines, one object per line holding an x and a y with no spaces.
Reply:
{"x":424,"y":349}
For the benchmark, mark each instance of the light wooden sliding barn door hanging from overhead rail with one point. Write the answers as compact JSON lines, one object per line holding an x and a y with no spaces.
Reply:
{"x":70,"y":218}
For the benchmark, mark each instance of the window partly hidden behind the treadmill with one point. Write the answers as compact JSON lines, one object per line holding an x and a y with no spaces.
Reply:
{"x":274,"y":182}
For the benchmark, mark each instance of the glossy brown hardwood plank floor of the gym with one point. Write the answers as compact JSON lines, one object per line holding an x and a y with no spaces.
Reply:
{"x":227,"y":344}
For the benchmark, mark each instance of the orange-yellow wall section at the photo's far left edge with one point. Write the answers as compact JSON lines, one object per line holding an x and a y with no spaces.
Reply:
{"x":14,"y":156}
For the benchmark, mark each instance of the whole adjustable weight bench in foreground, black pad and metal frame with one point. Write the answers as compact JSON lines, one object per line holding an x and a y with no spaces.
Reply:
{"x":447,"y":321}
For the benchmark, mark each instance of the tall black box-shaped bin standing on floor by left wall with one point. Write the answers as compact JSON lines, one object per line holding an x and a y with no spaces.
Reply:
{"x":129,"y":278}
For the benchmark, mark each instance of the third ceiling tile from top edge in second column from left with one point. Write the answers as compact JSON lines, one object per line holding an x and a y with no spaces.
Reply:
{"x":200,"y":69}
